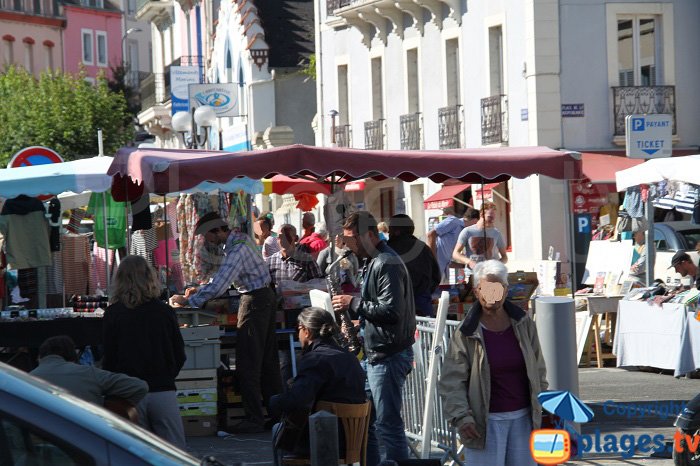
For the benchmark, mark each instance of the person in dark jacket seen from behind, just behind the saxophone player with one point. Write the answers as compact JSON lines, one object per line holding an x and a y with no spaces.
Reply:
{"x":420,"y":262}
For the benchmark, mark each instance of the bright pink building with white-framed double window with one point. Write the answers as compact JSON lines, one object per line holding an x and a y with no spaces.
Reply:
{"x":92,"y":36}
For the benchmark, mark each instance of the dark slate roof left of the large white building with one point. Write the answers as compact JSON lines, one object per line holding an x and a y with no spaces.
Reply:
{"x":289,"y":30}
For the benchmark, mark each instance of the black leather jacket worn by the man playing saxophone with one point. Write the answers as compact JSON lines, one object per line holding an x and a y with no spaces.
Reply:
{"x":386,"y":305}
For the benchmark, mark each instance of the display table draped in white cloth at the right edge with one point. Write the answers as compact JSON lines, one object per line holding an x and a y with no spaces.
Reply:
{"x":667,"y":337}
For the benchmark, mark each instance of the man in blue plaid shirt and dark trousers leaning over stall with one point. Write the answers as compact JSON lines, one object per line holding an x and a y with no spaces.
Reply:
{"x":257,"y":362}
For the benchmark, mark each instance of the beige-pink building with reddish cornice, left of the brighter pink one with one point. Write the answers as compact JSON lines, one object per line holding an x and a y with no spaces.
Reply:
{"x":30,"y":34}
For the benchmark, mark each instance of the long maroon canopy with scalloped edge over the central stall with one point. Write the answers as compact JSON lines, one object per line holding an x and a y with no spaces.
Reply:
{"x":164,"y":170}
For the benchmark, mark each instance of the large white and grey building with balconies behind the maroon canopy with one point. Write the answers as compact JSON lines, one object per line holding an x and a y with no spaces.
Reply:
{"x":440,"y":74}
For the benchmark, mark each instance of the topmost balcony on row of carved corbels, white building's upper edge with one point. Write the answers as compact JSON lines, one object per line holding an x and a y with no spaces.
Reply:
{"x":382,"y":17}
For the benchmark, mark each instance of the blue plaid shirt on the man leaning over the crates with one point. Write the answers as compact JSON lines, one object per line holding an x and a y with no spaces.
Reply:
{"x":242,"y":266}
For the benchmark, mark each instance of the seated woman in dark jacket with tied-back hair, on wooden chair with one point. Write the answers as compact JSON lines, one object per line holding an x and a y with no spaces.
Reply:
{"x":327,"y":372}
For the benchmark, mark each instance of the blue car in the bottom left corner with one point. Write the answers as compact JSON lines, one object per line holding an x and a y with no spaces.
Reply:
{"x":41,"y":424}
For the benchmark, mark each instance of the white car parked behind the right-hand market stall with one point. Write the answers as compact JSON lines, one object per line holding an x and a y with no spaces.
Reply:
{"x":670,"y":237}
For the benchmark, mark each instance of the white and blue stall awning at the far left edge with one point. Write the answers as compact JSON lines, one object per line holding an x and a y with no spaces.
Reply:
{"x":55,"y":178}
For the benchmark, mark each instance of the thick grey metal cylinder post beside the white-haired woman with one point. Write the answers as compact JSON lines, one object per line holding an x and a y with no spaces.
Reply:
{"x":556,"y":328}
